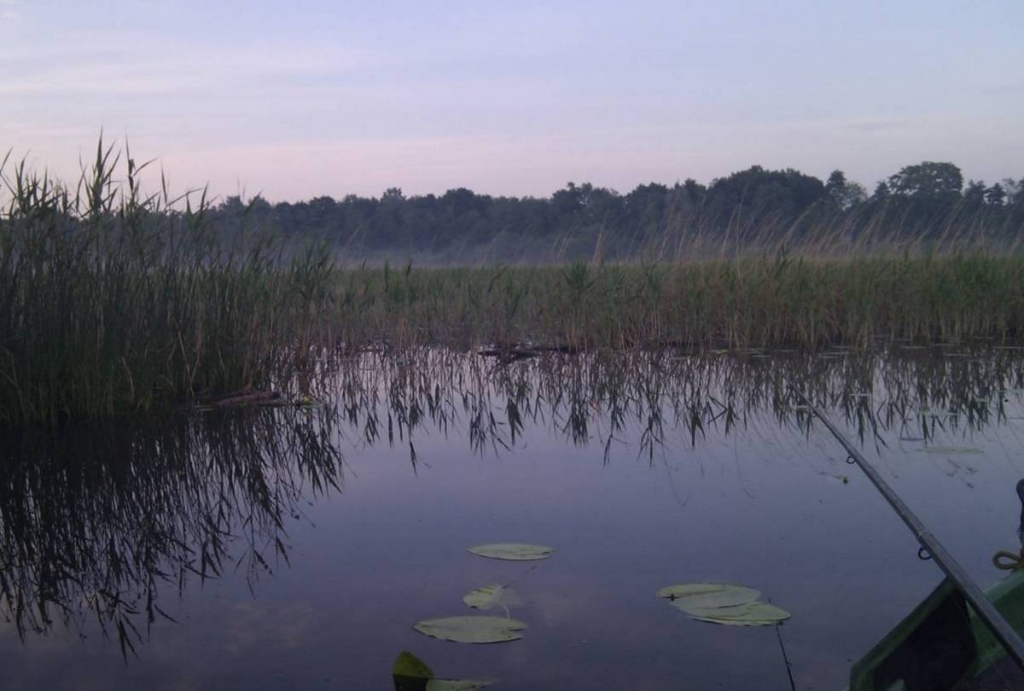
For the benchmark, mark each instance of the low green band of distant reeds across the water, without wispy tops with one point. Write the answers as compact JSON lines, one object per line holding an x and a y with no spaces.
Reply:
{"x":744,"y":303}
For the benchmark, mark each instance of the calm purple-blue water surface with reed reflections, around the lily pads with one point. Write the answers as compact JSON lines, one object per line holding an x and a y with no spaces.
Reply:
{"x":294,"y":549}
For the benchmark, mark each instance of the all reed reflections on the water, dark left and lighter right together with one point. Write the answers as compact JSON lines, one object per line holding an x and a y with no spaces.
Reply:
{"x":98,"y":522}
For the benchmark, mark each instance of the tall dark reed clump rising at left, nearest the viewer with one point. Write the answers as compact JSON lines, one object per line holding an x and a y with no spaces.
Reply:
{"x":115,"y":301}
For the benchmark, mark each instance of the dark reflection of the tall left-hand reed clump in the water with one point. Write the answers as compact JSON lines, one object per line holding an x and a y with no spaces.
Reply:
{"x":98,"y":521}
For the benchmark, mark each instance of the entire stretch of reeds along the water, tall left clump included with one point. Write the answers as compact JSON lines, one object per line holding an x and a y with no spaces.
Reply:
{"x":115,"y":301}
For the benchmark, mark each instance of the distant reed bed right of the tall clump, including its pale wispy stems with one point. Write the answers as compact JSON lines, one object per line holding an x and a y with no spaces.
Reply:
{"x":759,"y":283}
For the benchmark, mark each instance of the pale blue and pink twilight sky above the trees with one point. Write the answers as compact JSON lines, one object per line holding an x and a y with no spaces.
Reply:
{"x":298,"y":100}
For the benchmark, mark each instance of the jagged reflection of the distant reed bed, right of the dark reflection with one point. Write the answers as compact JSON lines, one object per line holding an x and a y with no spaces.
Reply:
{"x":598,"y":399}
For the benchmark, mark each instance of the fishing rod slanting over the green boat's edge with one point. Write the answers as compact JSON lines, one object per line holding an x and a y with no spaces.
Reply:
{"x":929,"y":544}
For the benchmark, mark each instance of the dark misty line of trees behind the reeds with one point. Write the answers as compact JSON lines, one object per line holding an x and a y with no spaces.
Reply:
{"x":927,"y":201}
